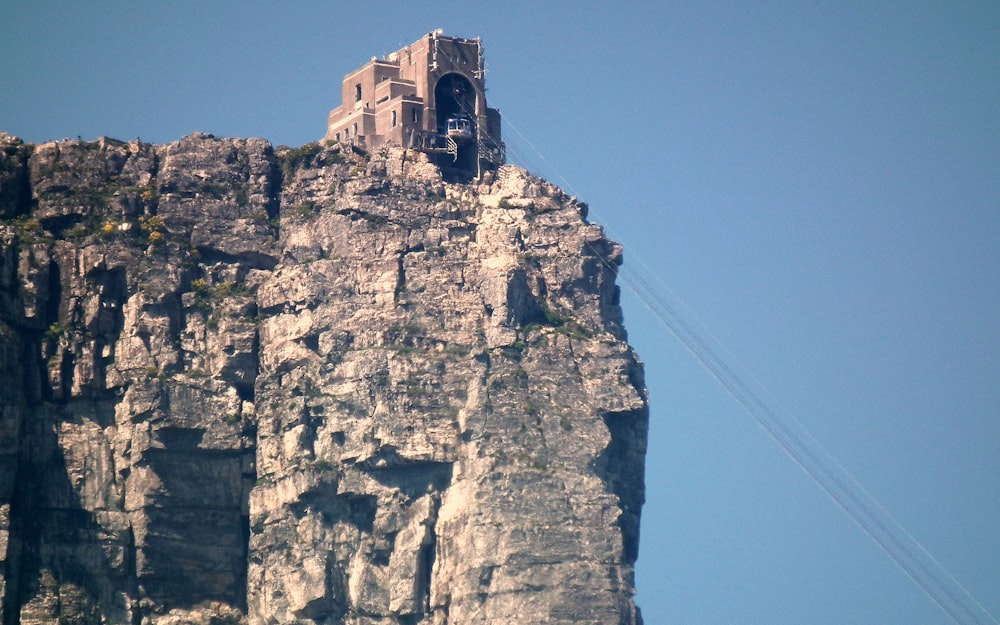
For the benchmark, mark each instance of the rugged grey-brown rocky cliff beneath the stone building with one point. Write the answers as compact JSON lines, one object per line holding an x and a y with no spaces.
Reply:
{"x":248,"y":385}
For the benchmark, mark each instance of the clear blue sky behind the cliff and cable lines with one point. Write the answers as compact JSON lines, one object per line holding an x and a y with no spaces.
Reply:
{"x":818,"y":182}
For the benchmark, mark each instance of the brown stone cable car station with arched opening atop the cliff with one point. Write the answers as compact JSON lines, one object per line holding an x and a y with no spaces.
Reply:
{"x":429,"y":96}
